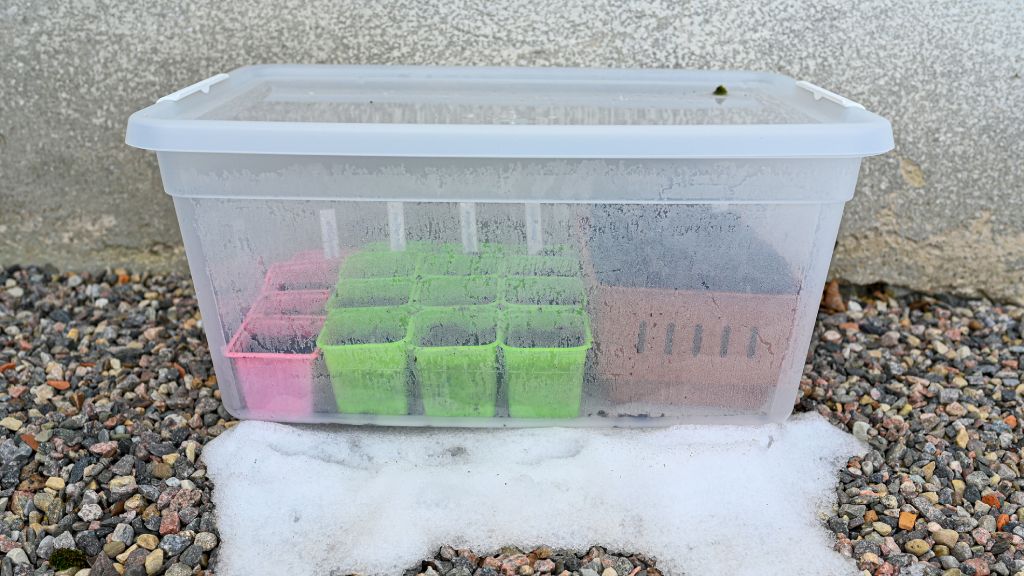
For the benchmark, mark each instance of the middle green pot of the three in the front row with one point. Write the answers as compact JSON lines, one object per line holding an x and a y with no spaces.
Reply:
{"x":456,"y":360}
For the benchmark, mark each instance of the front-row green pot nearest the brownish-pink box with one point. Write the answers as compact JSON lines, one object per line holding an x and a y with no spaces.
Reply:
{"x":545,"y":351}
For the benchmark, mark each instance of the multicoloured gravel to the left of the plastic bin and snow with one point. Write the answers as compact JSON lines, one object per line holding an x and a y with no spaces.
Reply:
{"x":107,"y":398}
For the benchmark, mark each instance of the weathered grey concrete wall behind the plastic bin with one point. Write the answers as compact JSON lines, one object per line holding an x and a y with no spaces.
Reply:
{"x":945,"y":212}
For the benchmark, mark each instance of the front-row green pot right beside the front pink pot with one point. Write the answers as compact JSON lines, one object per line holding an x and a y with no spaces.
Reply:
{"x":367,"y":356}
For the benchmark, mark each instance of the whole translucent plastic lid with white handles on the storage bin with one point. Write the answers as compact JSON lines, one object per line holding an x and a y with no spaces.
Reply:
{"x":508,"y":113}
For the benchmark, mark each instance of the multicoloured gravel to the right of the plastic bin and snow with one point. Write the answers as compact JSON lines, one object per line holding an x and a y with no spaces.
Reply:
{"x":933,"y":386}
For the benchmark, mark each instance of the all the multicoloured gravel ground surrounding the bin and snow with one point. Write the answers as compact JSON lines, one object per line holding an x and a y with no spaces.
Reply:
{"x":108,"y":397}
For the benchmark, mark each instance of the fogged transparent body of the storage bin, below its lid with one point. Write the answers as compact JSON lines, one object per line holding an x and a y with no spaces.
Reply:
{"x":508,"y":293}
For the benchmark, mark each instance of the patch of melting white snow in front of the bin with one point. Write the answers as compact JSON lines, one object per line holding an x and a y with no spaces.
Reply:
{"x":736,"y":501}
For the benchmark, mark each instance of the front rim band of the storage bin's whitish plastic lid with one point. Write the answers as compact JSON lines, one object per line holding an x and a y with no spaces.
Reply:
{"x":457,"y":141}
